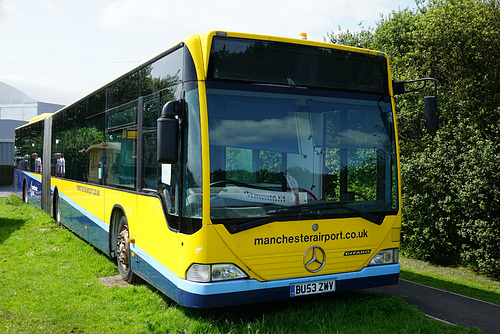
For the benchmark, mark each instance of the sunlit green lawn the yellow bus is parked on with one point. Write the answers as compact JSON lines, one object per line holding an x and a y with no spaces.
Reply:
{"x":49,"y":281}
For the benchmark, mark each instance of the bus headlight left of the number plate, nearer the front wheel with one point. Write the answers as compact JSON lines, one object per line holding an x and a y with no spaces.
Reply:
{"x":214,"y":272}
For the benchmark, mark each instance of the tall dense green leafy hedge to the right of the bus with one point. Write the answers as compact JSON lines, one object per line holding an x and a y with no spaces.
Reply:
{"x":451,"y":181}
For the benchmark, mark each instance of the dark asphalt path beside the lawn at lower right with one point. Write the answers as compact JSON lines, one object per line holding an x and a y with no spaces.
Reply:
{"x":447,"y":306}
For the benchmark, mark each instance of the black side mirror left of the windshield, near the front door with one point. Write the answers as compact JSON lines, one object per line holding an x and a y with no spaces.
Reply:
{"x":168,"y":133}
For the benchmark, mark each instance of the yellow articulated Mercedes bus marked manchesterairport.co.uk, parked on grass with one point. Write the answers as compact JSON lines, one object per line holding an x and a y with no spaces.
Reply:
{"x":231,"y":168}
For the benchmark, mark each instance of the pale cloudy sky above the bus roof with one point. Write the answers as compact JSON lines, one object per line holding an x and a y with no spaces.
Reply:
{"x":58,"y":51}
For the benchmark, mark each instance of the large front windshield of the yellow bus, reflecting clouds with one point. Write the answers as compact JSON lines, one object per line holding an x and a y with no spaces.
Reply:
{"x":282,"y":152}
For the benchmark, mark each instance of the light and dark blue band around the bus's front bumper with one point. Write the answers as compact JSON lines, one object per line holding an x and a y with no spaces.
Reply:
{"x":193,"y":294}
